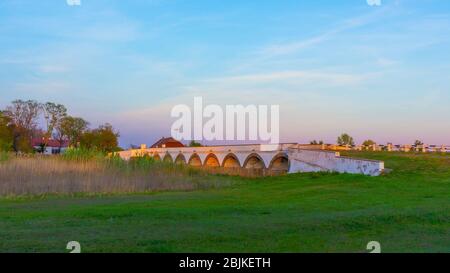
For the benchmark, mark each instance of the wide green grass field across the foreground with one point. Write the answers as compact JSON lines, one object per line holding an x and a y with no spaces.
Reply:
{"x":407,"y":210}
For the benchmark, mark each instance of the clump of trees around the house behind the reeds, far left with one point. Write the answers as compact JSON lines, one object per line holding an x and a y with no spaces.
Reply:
{"x":19,"y":124}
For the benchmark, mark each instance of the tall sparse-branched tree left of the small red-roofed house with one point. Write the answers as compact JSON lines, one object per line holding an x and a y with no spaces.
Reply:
{"x":23,"y":117}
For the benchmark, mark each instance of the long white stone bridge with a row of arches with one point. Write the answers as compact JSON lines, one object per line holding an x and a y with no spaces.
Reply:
{"x":280,"y":158}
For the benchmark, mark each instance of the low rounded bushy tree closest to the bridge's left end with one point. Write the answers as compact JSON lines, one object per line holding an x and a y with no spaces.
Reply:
{"x":104,"y":139}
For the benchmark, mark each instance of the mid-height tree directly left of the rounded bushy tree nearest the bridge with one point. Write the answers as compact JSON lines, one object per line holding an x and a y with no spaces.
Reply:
{"x":70,"y":129}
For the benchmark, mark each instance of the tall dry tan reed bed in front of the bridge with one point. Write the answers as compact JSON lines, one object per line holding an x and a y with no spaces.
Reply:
{"x":43,"y":175}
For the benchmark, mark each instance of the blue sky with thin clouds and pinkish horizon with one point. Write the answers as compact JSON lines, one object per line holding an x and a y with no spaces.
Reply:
{"x":376,"y":72}
